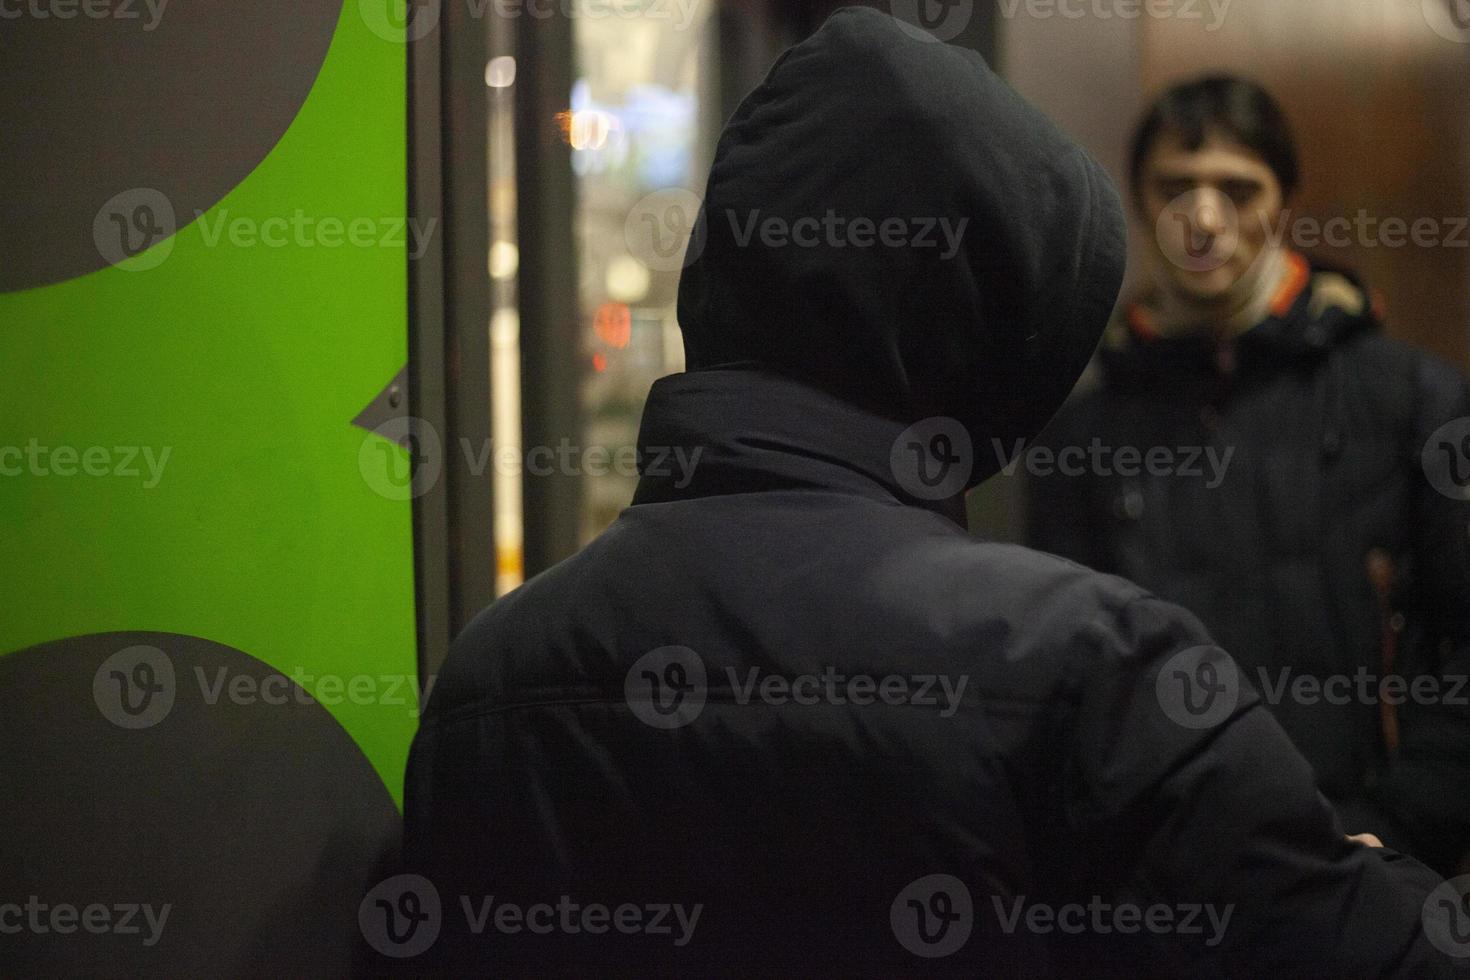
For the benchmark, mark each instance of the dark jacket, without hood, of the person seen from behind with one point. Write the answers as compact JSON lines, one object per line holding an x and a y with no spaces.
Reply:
{"x":602,"y":735}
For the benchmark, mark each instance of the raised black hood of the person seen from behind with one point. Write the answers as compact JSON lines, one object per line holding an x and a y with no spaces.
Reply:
{"x":889,"y":221}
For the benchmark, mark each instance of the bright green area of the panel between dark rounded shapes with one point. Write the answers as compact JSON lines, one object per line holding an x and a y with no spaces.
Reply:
{"x":245,"y":364}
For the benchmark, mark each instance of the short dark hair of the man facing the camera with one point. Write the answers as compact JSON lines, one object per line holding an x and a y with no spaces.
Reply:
{"x":1219,"y":105}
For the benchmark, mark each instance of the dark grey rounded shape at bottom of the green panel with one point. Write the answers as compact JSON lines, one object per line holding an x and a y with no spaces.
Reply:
{"x":177,"y":807}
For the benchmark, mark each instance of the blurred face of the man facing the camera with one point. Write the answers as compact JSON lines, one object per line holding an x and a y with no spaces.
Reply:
{"x":1211,"y":211}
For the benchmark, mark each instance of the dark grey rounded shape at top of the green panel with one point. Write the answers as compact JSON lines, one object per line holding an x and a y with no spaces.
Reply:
{"x":139,"y":117}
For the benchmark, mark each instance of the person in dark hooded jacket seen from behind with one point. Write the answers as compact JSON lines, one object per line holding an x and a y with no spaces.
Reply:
{"x":786,"y":716}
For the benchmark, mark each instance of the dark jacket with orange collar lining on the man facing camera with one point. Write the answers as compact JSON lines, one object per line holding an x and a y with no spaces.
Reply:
{"x":1309,"y":452}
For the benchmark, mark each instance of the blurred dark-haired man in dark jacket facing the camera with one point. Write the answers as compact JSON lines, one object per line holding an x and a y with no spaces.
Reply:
{"x":1259,"y":452}
